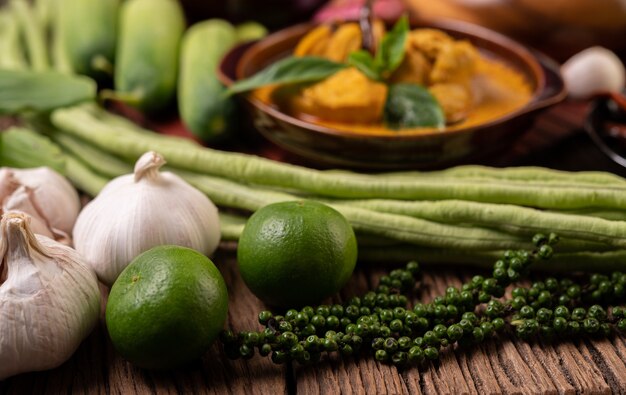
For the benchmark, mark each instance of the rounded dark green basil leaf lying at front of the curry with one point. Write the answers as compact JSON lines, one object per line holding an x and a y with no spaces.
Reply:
{"x":410,"y":106}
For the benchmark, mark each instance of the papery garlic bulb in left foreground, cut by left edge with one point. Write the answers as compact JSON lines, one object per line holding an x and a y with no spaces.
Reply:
{"x":49,"y":299}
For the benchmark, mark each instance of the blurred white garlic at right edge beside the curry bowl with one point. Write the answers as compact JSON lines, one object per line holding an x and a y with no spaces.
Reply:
{"x":592,"y":71}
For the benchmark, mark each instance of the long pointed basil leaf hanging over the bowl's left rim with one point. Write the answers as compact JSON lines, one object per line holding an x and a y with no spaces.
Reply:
{"x":290,"y":70}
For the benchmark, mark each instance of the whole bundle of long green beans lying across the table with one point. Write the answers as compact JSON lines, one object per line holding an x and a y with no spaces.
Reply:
{"x":467,"y":214}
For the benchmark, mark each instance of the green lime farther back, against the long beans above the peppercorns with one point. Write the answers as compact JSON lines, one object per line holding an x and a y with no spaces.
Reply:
{"x":296,"y":253}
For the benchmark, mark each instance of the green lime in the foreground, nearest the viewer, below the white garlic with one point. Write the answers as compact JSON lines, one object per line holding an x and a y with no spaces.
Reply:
{"x":166,"y":308}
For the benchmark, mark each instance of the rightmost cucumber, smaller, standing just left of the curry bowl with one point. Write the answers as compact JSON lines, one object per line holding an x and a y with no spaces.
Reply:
{"x":202,"y":104}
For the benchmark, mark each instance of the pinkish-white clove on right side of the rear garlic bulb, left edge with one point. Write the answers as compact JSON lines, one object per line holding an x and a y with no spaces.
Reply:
{"x":55,"y":198}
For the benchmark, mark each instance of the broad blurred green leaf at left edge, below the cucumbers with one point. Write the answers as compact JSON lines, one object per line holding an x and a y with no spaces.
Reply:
{"x":41,"y":91}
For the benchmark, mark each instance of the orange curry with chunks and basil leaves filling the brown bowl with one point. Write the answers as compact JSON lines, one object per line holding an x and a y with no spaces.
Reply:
{"x":412,"y":82}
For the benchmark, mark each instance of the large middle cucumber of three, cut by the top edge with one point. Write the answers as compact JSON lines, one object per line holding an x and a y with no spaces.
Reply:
{"x":147,"y":54}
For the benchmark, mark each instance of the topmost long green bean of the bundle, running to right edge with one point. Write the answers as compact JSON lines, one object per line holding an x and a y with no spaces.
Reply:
{"x":252,"y":169}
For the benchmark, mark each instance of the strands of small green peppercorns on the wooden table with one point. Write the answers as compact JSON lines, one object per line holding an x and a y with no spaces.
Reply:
{"x":381,"y":323}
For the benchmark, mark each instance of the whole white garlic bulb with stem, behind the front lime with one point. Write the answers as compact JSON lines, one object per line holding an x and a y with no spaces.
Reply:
{"x":136,"y":212}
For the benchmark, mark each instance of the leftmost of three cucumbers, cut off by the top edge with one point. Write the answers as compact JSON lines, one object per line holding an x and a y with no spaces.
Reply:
{"x":87,"y":30}
